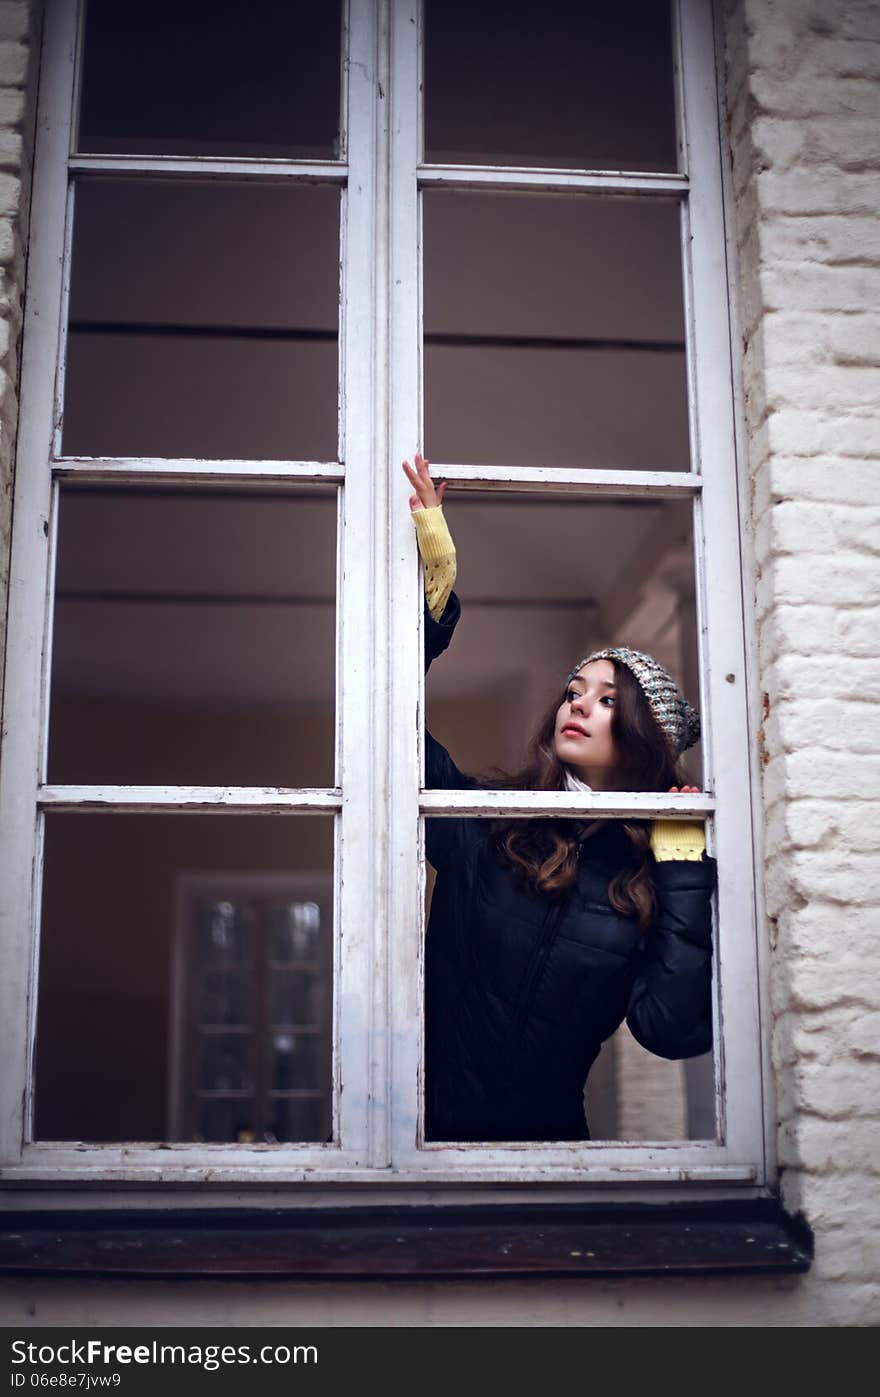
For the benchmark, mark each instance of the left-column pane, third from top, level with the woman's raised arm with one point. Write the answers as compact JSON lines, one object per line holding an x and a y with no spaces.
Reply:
{"x":195,"y":639}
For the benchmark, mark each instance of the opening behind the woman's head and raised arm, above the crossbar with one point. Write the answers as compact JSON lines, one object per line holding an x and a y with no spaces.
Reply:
{"x":545,"y":580}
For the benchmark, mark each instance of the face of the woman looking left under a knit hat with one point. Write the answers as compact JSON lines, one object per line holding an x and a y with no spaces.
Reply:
{"x":583,"y":737}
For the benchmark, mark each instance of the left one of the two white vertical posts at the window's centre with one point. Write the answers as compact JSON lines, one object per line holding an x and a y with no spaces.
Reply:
{"x":358,"y":974}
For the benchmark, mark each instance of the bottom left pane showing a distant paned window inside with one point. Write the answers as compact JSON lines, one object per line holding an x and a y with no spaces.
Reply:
{"x":159,"y":991}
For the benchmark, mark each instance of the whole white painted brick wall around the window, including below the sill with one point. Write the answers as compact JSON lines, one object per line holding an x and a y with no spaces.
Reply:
{"x":804,"y":87}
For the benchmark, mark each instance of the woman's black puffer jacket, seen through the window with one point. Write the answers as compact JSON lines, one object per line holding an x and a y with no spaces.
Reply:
{"x":522,"y":990}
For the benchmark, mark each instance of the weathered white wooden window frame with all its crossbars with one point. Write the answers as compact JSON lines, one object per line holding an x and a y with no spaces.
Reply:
{"x":376,"y":804}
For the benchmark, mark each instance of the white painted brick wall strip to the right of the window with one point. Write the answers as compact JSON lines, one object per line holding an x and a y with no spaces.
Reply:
{"x":804,"y":80}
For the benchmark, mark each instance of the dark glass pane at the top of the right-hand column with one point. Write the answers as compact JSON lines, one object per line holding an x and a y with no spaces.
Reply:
{"x":564,"y":85}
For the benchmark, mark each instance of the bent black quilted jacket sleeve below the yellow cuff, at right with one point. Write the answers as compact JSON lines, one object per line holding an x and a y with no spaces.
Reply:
{"x":671,"y":1007}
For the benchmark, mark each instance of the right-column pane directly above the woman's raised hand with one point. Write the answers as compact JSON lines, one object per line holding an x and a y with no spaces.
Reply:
{"x":554,"y":332}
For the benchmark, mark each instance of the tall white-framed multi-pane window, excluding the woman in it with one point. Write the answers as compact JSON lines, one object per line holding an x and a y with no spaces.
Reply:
{"x":402,"y":224}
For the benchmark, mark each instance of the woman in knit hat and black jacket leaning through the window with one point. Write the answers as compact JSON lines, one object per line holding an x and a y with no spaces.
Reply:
{"x":545,"y":935}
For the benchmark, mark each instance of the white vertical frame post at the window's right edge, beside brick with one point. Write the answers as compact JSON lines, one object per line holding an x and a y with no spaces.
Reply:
{"x":720,"y":597}
